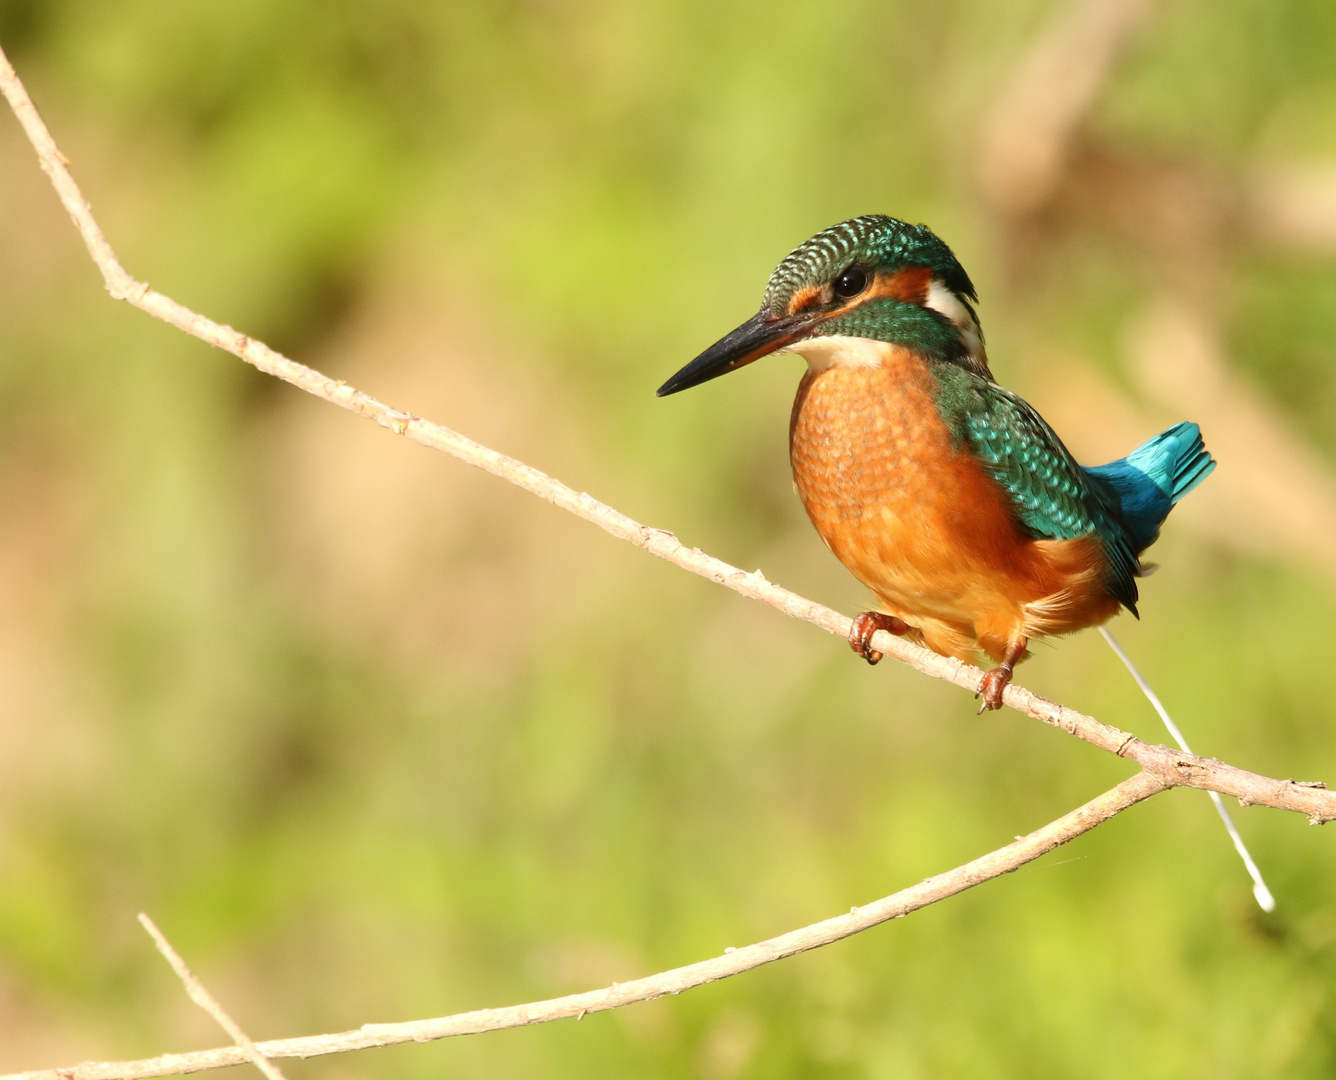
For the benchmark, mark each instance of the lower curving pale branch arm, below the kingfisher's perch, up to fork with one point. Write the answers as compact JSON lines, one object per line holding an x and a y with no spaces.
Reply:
{"x":733,"y":962}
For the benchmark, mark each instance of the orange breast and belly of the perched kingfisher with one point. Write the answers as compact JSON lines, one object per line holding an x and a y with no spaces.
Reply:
{"x":918,"y":521}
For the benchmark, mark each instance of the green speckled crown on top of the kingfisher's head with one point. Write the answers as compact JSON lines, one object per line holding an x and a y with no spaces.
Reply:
{"x":874,"y":241}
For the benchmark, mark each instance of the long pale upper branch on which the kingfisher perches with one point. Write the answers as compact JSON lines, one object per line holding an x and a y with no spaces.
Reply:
{"x":1251,"y":789}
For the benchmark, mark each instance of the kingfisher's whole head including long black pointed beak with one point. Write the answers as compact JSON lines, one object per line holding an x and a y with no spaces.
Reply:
{"x":869,"y":279}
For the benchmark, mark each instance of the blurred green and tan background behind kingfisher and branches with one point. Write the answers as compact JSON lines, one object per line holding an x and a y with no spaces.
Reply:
{"x":375,"y":737}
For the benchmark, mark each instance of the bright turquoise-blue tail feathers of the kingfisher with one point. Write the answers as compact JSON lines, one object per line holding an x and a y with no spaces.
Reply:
{"x":1155,"y":477}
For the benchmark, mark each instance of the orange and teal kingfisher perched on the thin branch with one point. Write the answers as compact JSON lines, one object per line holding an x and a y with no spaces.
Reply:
{"x":945,"y":494}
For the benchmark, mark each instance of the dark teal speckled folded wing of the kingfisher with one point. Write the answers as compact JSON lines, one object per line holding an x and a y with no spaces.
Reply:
{"x":1052,"y":495}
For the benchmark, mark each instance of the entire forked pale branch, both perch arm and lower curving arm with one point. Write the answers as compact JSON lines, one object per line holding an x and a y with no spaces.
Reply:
{"x":1162,"y":768}
